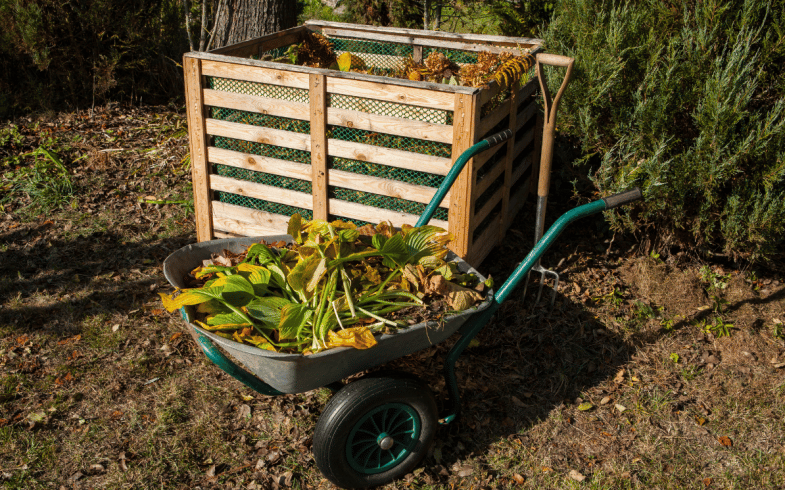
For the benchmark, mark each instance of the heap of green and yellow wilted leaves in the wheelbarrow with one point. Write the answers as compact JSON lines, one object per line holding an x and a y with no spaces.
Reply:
{"x":336,"y":285}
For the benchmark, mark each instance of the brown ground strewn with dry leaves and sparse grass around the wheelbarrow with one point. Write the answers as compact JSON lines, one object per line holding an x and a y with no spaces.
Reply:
{"x":646,"y":374}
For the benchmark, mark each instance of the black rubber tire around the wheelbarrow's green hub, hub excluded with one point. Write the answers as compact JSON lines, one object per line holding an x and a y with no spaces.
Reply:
{"x":359,"y":400}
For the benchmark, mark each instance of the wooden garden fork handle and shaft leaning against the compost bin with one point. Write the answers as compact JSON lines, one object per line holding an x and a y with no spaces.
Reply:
{"x":549,"y":128}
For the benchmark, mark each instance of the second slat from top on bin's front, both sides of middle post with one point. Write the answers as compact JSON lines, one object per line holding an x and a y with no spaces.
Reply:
{"x":335,"y":116}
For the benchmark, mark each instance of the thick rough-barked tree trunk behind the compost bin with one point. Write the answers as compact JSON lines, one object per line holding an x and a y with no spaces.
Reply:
{"x":240,"y":20}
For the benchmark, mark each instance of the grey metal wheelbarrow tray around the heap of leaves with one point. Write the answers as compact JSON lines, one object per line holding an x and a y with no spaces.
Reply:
{"x":297,"y":373}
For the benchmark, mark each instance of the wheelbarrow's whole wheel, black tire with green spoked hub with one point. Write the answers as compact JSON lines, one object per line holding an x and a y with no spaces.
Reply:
{"x":375,"y":430}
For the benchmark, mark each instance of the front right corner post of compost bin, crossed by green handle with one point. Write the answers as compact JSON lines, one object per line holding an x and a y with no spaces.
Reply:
{"x":465,"y":114}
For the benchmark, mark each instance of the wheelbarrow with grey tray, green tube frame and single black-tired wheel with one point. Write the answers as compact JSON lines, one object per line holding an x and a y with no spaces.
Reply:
{"x":378,"y":428}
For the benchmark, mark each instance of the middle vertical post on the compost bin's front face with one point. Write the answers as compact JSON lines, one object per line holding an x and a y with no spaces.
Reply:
{"x":318,"y":98}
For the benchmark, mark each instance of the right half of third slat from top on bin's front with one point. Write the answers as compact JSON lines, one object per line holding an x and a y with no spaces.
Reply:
{"x":388,"y":156}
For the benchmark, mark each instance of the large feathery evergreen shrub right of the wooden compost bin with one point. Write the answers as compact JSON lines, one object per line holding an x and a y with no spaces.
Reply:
{"x":685,"y":100}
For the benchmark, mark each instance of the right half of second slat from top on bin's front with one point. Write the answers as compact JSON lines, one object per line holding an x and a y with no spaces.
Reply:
{"x":390,"y":125}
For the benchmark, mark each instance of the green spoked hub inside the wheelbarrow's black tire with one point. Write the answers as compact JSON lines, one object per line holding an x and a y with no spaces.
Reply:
{"x":383,"y":438}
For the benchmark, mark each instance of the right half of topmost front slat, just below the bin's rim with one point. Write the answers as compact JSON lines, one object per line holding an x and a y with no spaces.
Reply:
{"x":391,"y":93}
